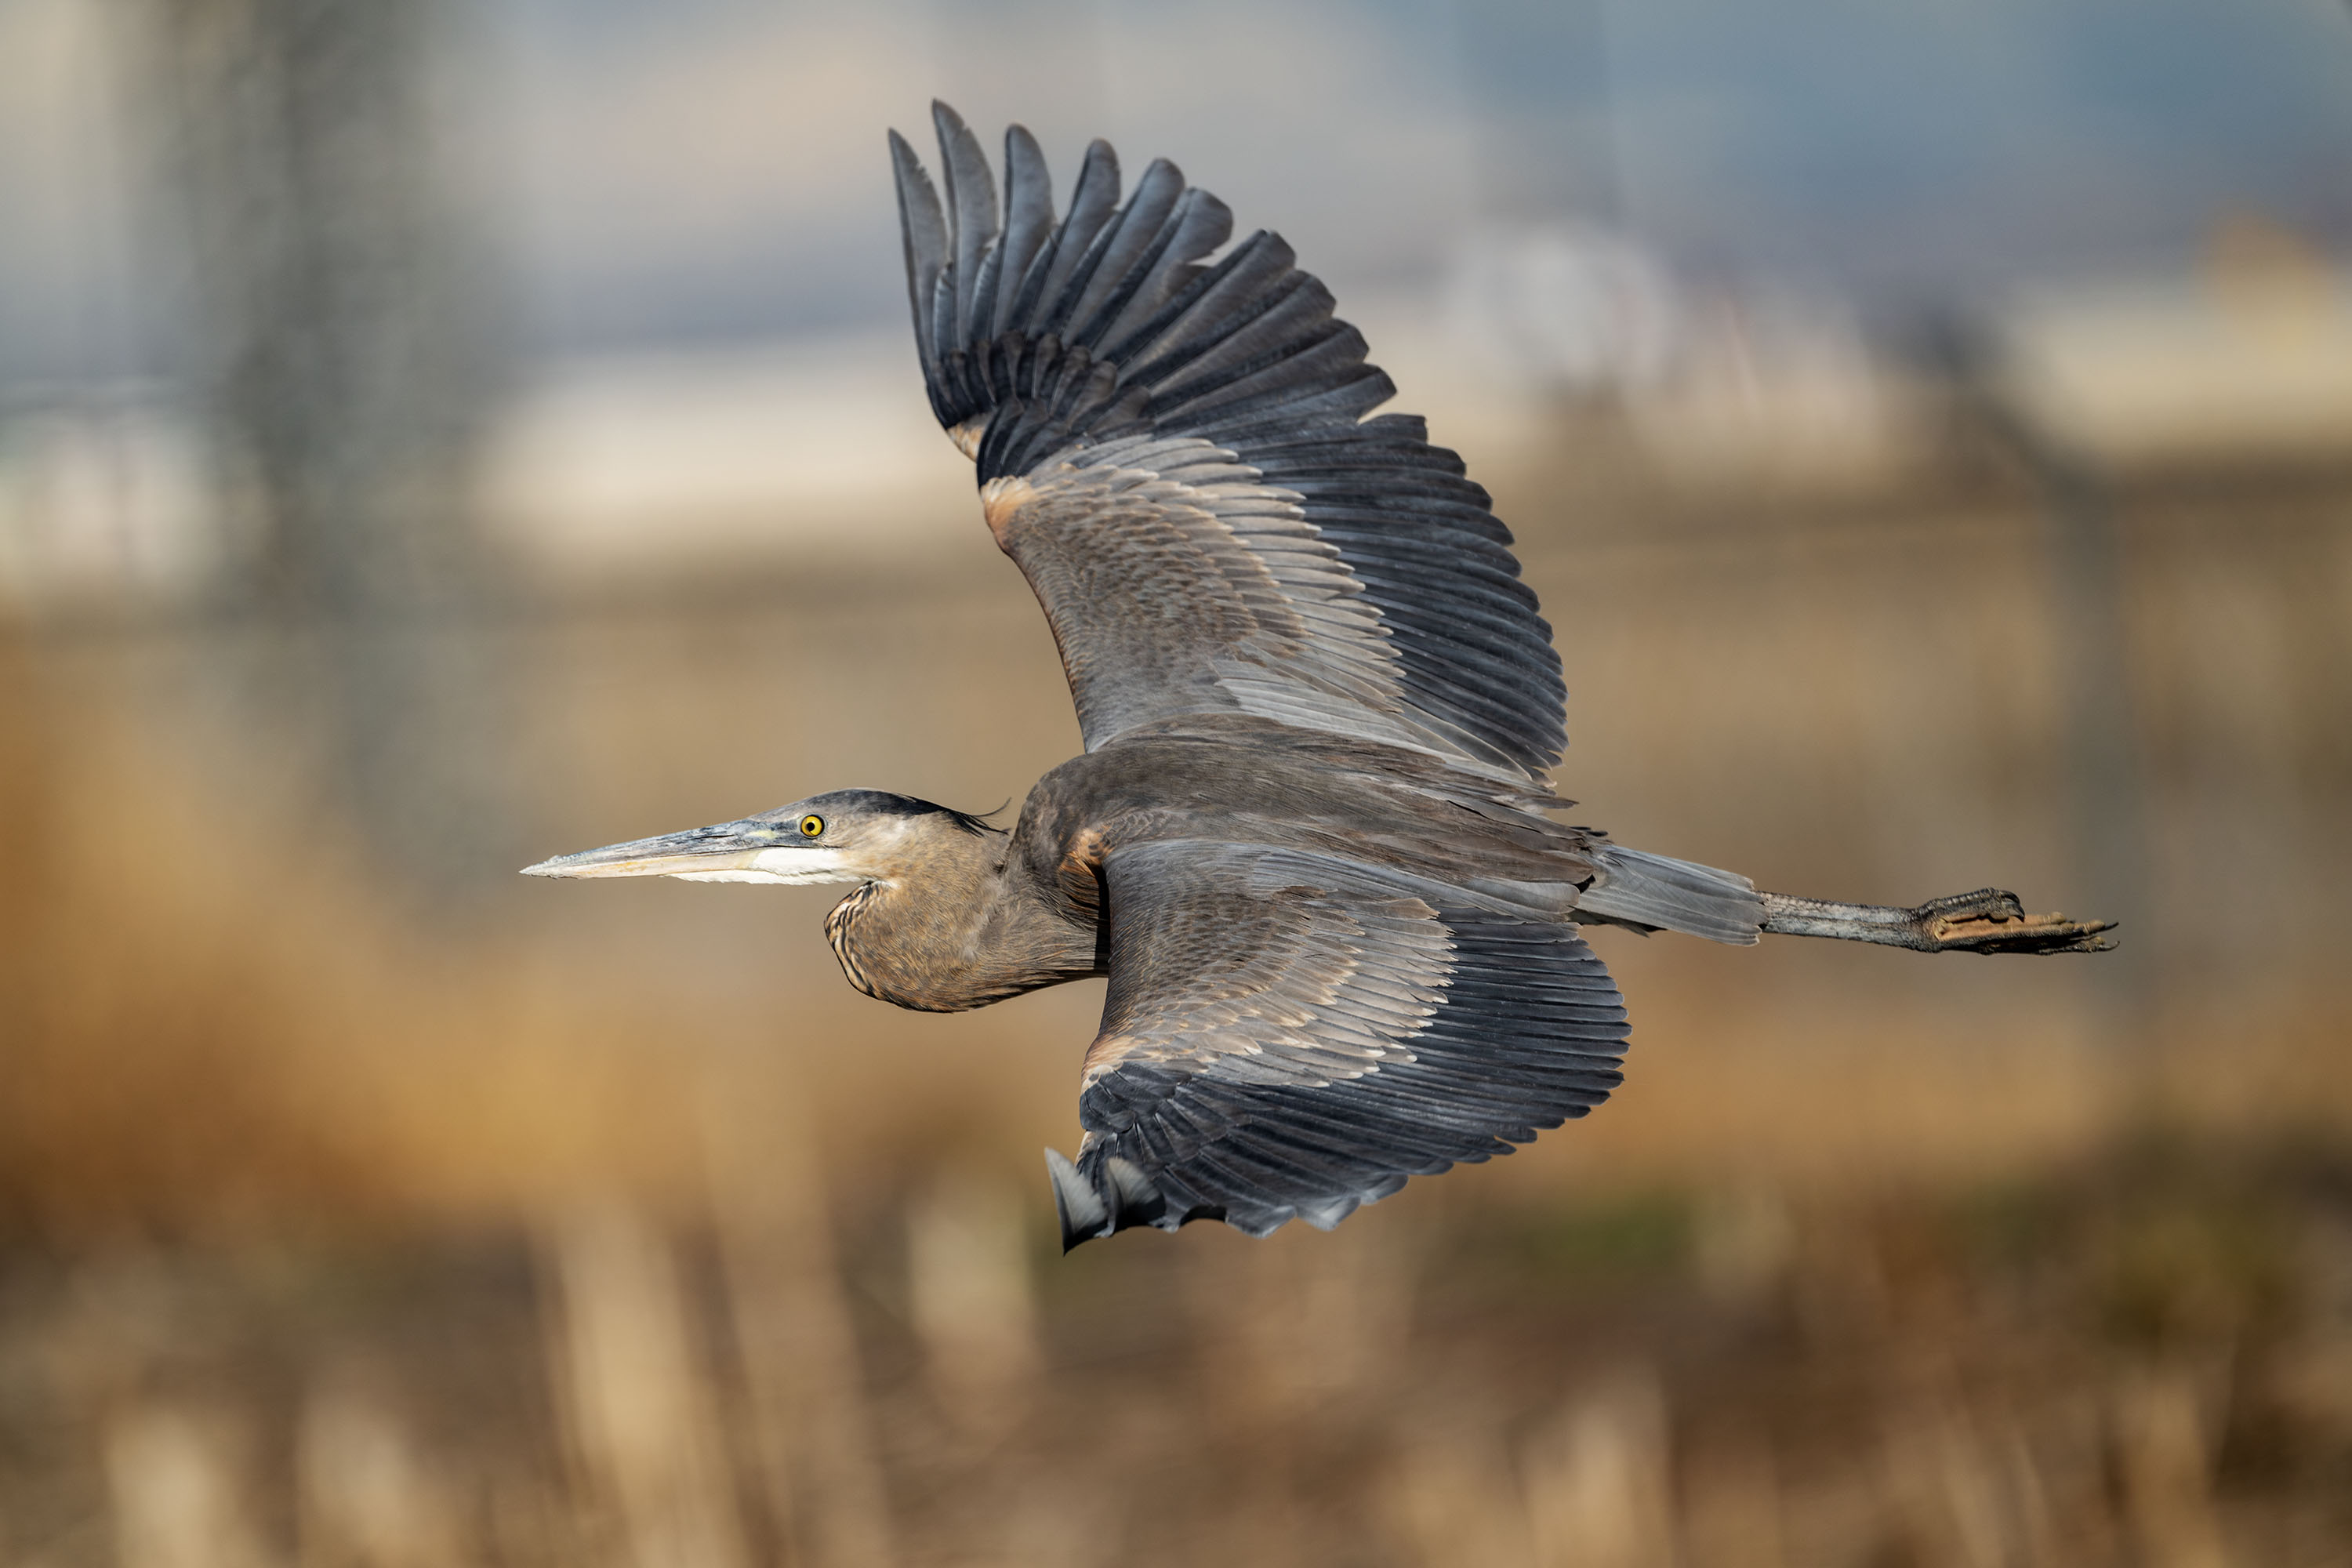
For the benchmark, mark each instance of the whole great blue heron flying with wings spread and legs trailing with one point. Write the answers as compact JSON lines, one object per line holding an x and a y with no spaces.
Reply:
{"x":1309,"y":838}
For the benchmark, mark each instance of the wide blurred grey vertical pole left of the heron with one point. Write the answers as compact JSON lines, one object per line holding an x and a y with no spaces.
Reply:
{"x":345,"y":380}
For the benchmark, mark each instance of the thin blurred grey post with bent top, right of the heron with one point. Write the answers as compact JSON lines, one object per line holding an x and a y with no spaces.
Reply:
{"x":2106,"y":789}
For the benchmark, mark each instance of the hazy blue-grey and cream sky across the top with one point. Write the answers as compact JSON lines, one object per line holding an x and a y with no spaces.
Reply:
{"x":714,"y":168}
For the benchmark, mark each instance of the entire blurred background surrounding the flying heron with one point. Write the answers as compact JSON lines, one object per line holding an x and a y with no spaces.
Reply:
{"x":441,"y":436}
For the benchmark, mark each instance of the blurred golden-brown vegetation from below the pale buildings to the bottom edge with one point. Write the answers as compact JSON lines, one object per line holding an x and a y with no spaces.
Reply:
{"x":610,"y":1226}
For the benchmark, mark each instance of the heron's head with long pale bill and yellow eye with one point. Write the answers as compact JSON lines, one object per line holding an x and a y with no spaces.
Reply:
{"x":850,"y":836}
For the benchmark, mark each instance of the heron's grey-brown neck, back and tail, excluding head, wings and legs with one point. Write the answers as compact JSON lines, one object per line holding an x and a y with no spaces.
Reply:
{"x":996,"y":916}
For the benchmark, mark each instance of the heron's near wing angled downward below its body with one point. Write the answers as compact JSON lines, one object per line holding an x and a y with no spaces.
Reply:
{"x":1290,"y":1036}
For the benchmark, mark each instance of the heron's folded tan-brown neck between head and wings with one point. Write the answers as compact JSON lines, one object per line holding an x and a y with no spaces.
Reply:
{"x":961,"y":934}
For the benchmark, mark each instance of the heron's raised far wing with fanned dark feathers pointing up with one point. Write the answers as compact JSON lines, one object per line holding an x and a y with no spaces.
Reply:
{"x":1177,"y":457}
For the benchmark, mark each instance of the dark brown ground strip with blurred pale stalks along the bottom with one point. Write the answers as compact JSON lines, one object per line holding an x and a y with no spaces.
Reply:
{"x":2132,"y":1360}
